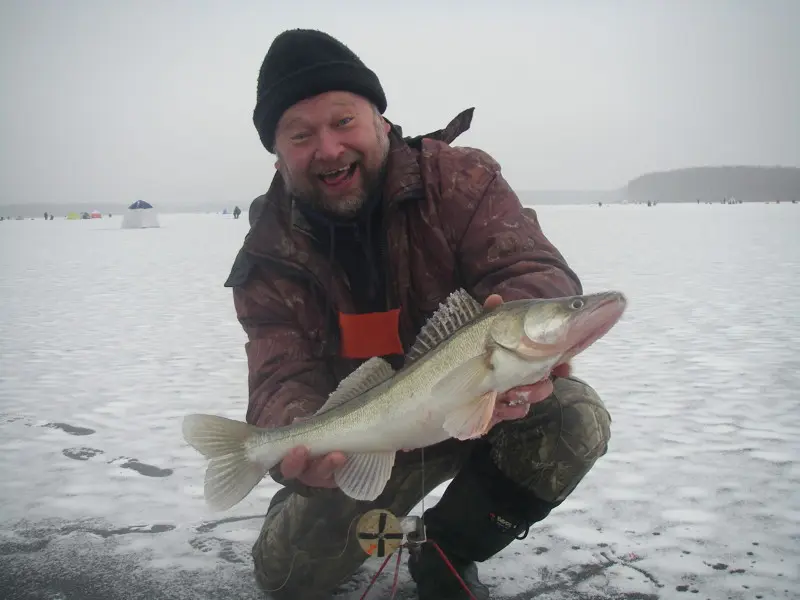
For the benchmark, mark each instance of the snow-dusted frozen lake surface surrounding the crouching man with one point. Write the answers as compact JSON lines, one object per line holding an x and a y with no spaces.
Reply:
{"x":110,"y":336}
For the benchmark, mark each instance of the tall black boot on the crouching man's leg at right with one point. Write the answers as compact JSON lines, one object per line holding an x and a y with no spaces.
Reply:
{"x":480,"y":513}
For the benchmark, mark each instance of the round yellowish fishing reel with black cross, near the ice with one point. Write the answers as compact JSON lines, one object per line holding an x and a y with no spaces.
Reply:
{"x":380,"y":533}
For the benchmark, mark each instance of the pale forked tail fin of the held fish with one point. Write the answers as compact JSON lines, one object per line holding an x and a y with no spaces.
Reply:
{"x":231,"y":474}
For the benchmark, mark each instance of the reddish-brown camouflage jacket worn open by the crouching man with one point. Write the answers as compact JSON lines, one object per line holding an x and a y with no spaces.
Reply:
{"x":450,"y":220}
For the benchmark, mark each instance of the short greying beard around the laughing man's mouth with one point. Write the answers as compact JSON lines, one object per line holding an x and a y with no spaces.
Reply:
{"x":310,"y":192}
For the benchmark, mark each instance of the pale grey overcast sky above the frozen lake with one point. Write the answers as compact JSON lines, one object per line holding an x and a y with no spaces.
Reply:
{"x":153,"y":99}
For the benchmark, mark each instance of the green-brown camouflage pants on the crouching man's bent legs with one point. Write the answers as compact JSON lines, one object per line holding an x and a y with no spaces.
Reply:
{"x":307,"y":545}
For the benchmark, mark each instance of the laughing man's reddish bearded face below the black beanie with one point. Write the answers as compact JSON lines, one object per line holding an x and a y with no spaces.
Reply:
{"x":332,"y":150}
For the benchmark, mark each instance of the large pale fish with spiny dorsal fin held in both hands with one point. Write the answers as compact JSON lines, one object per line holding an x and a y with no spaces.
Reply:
{"x":462,"y":359}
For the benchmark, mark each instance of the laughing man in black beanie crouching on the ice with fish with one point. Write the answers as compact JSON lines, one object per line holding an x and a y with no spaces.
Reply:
{"x":360,"y":237}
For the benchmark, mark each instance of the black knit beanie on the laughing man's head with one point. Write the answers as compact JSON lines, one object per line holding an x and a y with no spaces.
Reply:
{"x":302,"y":63}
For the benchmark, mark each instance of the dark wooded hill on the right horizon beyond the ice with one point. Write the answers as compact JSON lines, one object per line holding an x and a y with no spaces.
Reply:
{"x":714,"y":184}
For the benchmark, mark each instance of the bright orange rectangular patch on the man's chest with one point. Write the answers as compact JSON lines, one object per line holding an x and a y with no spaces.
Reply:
{"x":370,"y":334}
